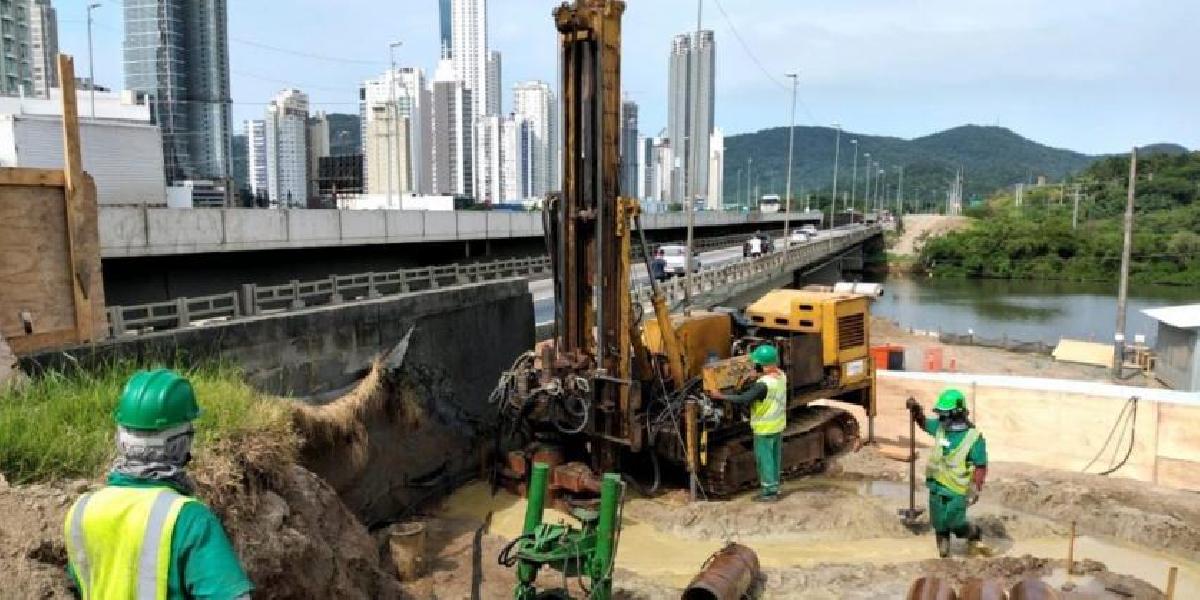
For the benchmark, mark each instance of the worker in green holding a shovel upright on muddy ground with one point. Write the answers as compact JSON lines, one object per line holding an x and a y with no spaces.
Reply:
{"x":958,"y":466}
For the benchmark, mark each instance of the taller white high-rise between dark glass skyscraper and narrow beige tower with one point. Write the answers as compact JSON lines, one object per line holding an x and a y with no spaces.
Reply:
{"x":287,"y":153}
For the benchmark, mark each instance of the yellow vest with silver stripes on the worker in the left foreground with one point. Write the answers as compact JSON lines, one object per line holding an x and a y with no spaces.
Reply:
{"x":119,"y":542}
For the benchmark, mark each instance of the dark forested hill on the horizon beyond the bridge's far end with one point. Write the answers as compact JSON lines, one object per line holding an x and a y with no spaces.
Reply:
{"x":992,"y":158}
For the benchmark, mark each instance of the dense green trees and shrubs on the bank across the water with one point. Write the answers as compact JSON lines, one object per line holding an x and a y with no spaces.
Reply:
{"x":1037,"y":241}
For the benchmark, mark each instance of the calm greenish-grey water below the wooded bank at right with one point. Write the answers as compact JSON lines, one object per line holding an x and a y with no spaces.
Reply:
{"x":1028,"y":311}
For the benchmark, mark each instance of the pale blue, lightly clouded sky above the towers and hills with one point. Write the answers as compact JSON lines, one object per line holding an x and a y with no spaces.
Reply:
{"x":1094,"y":76}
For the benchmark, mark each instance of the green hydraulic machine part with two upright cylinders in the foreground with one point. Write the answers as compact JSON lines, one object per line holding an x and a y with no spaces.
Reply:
{"x":589,"y":553}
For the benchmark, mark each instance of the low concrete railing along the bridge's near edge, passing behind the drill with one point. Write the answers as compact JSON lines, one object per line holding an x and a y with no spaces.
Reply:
{"x":256,"y":301}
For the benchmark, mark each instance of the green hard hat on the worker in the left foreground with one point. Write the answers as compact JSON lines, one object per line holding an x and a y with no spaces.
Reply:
{"x":157,"y":400}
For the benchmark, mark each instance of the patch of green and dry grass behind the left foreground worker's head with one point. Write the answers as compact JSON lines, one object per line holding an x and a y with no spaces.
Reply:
{"x":61,"y":425}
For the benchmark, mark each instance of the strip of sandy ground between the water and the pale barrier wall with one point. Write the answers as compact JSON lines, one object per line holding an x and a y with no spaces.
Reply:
{"x":973,"y":359}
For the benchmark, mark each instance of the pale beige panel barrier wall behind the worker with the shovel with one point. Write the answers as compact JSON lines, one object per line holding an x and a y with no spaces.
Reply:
{"x":1060,"y":424}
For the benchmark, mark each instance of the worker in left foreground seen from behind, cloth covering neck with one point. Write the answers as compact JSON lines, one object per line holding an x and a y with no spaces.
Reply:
{"x":143,"y":536}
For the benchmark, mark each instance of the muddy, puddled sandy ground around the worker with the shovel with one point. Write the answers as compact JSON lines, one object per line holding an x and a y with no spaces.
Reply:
{"x":838,"y":536}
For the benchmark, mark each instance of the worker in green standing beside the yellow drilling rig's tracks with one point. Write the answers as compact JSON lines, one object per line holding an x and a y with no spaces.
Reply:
{"x":767,"y":398}
